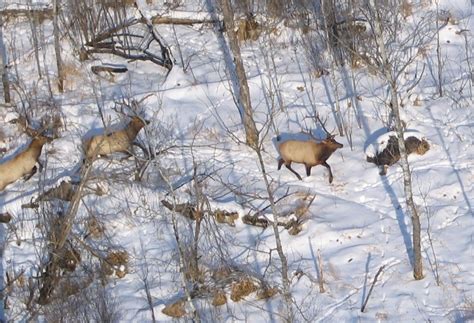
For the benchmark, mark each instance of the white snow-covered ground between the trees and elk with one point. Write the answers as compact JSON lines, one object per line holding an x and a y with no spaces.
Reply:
{"x":357,"y":224}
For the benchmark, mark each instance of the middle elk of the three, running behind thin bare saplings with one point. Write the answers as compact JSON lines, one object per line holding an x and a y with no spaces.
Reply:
{"x":117,"y":141}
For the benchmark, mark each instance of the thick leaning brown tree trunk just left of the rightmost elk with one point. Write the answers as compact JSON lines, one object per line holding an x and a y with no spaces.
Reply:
{"x":243,"y":96}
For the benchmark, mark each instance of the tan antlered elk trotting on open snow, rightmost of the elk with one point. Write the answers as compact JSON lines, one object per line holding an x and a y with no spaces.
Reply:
{"x":310,"y":153}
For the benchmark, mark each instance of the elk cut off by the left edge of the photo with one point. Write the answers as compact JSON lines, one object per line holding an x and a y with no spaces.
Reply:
{"x":23,"y":164}
